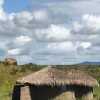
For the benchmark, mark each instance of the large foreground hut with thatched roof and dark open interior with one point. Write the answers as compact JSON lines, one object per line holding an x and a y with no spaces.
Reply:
{"x":51,"y":84}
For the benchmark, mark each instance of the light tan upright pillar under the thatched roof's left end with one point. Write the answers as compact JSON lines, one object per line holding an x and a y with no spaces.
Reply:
{"x":25,"y":93}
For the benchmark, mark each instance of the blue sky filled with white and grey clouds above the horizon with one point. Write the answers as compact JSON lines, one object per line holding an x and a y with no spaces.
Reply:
{"x":50,"y":31}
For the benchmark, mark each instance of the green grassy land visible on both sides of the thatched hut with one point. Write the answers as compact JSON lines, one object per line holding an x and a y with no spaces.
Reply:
{"x":9,"y":74}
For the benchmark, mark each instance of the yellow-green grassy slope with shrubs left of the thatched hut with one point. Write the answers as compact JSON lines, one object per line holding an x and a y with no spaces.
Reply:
{"x":8,"y":76}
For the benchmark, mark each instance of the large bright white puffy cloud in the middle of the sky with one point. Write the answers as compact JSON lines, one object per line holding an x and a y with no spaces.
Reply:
{"x":54,"y":33}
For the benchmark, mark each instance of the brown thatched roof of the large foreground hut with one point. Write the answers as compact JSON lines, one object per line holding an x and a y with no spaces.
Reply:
{"x":54,"y":76}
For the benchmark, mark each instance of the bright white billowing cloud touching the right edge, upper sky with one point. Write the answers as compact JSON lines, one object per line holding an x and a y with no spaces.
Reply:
{"x":89,"y":24}
